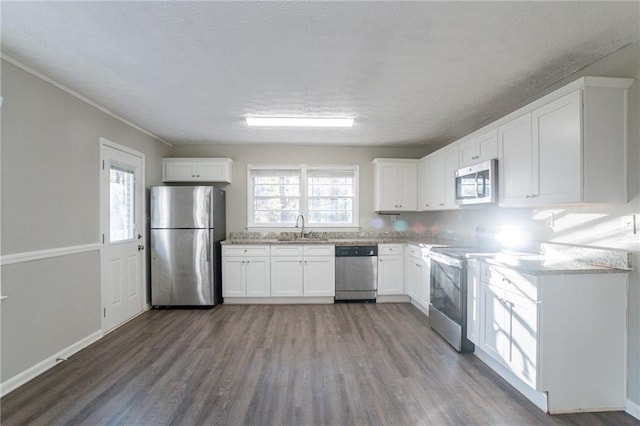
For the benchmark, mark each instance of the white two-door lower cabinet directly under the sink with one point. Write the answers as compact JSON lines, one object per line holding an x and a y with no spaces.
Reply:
{"x":298,"y":271}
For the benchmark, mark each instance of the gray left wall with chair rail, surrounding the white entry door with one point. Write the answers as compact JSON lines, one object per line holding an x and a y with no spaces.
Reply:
{"x":50,"y":199}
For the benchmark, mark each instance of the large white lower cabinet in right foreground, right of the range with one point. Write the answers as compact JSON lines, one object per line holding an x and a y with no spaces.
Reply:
{"x":558,"y":339}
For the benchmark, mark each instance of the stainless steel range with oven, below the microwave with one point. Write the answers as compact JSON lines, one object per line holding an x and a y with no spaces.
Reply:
{"x":448,"y":307}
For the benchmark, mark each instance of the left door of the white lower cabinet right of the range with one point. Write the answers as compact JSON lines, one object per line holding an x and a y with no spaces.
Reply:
{"x":494,"y":327}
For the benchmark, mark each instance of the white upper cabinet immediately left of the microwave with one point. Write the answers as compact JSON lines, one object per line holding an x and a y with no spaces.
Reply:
{"x":442,"y":165}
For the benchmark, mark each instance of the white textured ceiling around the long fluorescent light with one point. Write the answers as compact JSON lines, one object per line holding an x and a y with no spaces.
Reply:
{"x":411,"y":73}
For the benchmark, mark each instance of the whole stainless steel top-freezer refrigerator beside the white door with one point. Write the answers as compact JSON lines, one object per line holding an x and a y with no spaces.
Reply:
{"x":187,"y":226}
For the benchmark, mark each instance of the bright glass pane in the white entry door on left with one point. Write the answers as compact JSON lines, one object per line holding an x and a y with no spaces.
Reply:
{"x":121,"y":204}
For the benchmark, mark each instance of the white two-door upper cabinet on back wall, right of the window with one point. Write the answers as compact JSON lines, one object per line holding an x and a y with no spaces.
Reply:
{"x":395,"y":185}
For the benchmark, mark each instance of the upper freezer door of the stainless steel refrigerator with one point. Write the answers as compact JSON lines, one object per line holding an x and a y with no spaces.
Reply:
{"x":182,"y":207}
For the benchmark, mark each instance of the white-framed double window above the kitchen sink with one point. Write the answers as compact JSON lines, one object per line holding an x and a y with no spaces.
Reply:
{"x":327,"y":196}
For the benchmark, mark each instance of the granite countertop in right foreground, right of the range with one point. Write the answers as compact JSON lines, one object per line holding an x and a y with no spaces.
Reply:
{"x":538,"y":264}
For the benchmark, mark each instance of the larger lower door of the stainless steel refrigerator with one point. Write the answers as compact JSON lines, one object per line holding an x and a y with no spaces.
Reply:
{"x":181,"y":267}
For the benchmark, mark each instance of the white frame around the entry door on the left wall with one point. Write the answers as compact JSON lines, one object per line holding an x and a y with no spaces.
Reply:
{"x":105,"y":143}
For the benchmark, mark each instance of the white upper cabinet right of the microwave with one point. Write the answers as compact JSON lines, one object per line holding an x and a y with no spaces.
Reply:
{"x":570,"y":147}
